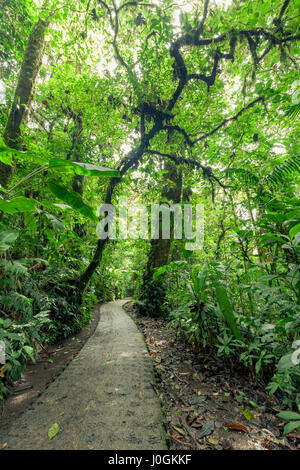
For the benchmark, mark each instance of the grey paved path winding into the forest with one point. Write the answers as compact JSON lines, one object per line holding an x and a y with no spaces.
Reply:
{"x":103,"y":399}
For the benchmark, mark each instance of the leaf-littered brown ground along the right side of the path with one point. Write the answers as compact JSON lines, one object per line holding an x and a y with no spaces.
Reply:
{"x":206,"y":406}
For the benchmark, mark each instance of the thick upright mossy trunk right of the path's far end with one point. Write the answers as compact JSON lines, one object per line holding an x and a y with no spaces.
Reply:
{"x":153,"y":291}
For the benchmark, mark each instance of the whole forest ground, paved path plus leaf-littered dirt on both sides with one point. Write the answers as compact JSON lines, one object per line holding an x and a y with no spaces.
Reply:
{"x":205,"y":405}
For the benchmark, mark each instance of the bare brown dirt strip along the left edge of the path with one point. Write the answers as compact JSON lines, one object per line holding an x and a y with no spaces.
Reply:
{"x":50,"y":362}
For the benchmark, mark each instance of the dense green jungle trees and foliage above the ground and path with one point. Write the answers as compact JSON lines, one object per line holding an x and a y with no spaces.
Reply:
{"x":158,"y":101}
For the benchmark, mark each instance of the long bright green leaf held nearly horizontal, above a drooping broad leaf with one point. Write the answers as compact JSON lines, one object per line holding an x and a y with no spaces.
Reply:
{"x":82,"y":168}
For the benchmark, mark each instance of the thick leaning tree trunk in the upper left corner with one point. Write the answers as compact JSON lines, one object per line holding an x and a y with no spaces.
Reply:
{"x":24,"y":93}
